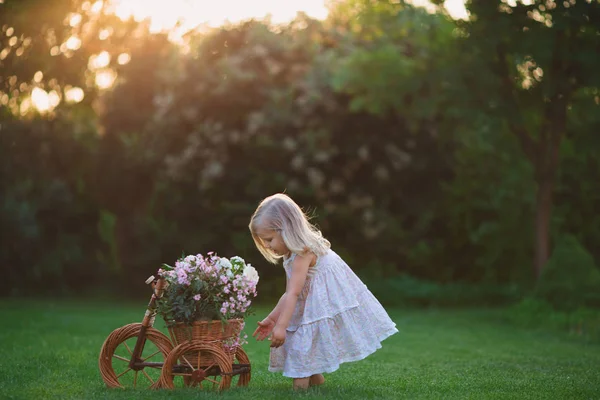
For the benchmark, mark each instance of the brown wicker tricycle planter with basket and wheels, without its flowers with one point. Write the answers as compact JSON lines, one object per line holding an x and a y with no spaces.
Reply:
{"x":200,"y":355}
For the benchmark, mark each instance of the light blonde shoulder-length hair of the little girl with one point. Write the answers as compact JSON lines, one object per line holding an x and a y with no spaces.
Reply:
{"x":280,"y":213}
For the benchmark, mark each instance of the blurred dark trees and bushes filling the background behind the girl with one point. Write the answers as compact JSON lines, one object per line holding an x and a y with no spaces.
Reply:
{"x":388,"y":123}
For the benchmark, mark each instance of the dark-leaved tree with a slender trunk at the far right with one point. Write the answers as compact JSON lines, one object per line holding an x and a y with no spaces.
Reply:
{"x":543,"y":59}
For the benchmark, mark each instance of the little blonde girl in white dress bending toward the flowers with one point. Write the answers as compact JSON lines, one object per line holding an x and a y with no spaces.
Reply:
{"x":326,"y":316}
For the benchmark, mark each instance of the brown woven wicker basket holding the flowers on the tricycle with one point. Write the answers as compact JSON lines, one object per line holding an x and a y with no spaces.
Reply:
{"x":223,"y":334}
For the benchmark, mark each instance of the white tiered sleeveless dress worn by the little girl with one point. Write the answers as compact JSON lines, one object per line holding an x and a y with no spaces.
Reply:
{"x":336,"y":320}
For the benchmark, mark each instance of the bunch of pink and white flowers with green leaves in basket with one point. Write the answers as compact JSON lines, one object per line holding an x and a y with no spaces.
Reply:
{"x":203,"y":288}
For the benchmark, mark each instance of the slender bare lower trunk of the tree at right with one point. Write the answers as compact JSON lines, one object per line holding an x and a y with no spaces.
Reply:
{"x":543,"y":213}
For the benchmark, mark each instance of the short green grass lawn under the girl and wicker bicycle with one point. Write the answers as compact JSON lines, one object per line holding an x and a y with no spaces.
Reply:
{"x":50,"y":350}
